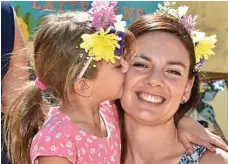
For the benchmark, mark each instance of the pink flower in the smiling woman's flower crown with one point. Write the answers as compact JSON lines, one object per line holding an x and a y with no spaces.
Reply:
{"x":189,"y":22}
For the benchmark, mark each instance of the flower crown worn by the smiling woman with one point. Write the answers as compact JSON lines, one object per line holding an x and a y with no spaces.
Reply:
{"x":203,"y":44}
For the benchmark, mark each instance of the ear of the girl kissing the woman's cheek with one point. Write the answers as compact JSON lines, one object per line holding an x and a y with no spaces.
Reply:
{"x":83,"y":87}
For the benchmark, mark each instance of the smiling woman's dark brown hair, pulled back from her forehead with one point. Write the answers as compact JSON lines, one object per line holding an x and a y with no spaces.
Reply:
{"x":151,"y":23}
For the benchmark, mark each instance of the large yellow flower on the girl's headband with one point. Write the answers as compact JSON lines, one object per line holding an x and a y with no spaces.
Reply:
{"x":101,"y":45}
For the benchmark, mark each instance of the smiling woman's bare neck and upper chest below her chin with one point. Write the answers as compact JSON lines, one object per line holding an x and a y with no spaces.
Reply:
{"x":152,"y":144}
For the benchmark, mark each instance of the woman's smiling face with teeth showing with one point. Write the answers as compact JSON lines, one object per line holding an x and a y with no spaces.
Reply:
{"x":157,"y":80}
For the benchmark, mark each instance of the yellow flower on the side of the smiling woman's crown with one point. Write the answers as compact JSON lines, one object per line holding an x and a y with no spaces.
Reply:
{"x":204,"y":47}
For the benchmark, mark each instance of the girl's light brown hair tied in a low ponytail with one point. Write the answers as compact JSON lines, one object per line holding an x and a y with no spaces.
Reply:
{"x":57,"y":62}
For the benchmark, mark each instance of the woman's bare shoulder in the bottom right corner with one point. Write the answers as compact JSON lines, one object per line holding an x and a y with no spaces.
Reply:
{"x":219,"y":157}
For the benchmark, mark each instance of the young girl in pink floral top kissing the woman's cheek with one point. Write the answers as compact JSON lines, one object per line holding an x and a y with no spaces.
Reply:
{"x":80,"y":64}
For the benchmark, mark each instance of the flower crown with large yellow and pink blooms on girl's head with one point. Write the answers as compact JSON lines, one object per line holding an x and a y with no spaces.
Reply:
{"x":107,"y":42}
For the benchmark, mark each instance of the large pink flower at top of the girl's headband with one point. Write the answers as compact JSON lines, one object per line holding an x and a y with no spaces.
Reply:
{"x":103,"y":13}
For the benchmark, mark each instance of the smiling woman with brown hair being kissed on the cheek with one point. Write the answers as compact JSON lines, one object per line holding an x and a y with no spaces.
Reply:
{"x":160,"y":87}
